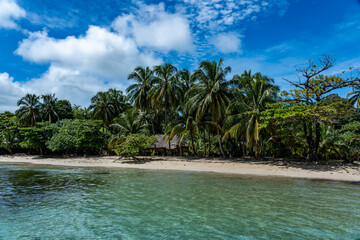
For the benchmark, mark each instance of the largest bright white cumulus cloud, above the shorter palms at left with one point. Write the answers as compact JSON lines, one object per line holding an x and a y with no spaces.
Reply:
{"x":81,"y":66}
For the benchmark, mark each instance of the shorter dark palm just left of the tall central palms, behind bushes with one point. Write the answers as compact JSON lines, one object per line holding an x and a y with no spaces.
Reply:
{"x":103,"y":108}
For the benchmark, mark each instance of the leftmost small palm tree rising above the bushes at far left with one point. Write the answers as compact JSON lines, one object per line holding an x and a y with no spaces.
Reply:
{"x":29,"y":109}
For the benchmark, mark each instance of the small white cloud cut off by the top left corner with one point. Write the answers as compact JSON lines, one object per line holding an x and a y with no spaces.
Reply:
{"x":9,"y":12}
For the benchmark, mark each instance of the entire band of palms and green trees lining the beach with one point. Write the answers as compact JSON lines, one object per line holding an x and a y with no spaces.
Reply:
{"x":244,"y":116}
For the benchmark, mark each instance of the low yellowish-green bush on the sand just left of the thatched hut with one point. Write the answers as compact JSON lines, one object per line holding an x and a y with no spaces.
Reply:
{"x":133,"y":145}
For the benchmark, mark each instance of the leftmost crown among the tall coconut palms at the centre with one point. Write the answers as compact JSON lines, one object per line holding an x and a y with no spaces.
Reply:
{"x":139,"y":91}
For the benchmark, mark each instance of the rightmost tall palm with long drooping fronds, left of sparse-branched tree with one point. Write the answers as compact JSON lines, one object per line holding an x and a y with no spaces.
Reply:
{"x":258,"y":90}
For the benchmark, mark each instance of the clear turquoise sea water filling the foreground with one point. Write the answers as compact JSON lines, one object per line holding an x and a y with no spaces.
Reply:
{"x":64,"y":203}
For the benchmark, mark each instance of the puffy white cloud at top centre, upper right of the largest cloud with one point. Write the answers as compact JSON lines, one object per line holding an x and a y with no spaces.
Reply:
{"x":153,"y":27}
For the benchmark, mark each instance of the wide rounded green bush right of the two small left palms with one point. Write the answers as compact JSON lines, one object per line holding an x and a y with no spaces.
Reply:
{"x":77,"y":134}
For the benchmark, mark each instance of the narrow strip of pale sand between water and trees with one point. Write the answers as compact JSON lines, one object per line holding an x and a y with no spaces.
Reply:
{"x":218,"y":165}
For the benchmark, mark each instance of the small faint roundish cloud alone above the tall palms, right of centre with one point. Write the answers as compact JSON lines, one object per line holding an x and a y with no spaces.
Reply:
{"x":227,"y":42}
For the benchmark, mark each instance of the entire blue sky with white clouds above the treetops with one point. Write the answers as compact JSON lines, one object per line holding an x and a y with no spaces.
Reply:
{"x":75,"y":48}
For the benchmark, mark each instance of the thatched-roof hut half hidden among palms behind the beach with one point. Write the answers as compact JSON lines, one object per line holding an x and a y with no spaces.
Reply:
{"x":172,"y":147}
